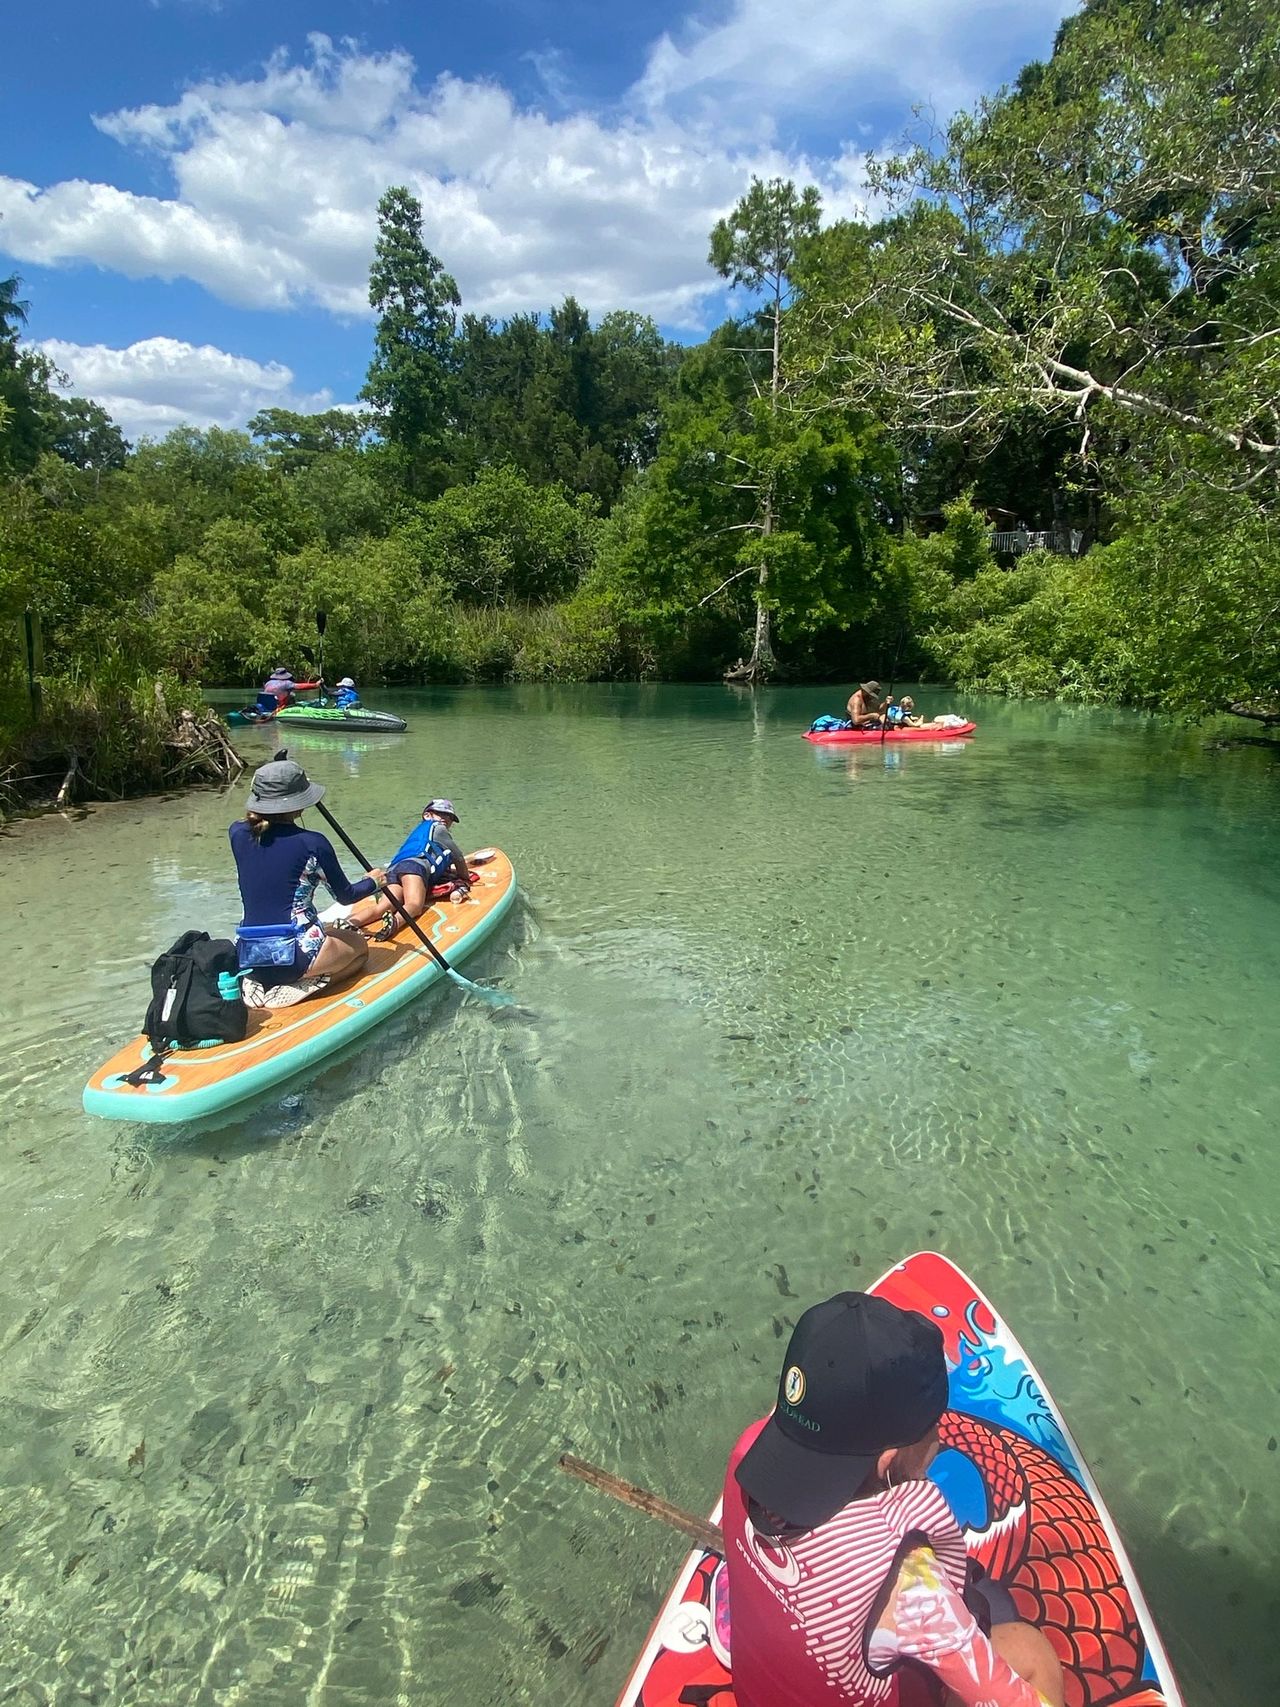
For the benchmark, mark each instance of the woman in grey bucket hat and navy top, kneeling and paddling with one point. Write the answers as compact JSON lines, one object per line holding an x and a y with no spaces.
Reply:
{"x":279,"y":865}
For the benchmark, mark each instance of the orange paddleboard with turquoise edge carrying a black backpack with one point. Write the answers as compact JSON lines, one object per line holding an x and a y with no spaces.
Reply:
{"x":284,"y":1042}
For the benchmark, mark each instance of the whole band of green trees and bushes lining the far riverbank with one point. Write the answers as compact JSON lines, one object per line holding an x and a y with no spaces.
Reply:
{"x":1061,"y":325}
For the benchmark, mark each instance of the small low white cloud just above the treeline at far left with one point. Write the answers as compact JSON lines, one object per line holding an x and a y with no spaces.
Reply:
{"x":161,"y":383}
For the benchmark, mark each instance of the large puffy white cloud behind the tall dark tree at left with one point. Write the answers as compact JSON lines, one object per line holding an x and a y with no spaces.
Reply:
{"x":277,"y":184}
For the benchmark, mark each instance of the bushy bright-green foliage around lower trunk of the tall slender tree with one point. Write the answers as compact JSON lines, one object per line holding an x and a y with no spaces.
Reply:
{"x":680,"y":564}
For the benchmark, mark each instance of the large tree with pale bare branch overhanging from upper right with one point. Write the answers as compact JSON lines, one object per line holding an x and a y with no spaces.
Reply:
{"x":1097,"y":245}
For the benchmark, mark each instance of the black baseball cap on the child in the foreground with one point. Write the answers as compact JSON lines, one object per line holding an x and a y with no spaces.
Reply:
{"x":861,"y":1375}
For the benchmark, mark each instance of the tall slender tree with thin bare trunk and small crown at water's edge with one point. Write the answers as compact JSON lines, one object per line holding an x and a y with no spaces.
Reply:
{"x":757,"y":248}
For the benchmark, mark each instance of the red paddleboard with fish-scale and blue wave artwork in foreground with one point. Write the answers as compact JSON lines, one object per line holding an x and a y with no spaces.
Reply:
{"x":1030,"y":1512}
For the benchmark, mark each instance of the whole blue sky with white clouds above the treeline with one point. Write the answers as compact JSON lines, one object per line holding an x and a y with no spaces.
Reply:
{"x":189,"y":187}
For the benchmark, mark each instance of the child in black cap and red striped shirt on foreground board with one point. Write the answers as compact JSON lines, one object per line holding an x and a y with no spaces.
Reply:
{"x":844,"y":1561}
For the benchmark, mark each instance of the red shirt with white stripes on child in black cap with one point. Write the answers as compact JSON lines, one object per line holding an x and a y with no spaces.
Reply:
{"x":801,"y":1607}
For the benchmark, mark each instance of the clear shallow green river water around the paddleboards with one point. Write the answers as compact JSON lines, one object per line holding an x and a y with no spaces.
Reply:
{"x":786,"y":1017}
